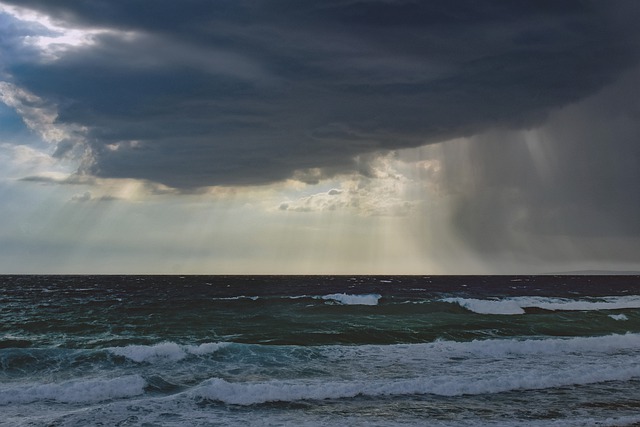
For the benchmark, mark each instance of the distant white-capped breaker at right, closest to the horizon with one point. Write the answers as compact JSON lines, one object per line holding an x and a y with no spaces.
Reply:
{"x":517,"y":305}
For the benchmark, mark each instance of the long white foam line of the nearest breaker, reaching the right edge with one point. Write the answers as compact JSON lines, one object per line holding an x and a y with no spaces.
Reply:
{"x":444,"y":385}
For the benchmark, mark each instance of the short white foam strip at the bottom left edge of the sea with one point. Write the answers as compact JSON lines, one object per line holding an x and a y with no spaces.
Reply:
{"x":80,"y":391}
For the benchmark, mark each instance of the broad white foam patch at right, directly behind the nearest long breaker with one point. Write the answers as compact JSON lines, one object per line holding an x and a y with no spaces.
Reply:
{"x":453,"y":355}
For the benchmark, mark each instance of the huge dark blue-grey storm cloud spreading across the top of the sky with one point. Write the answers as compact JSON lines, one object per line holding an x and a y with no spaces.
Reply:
{"x":197,"y":93}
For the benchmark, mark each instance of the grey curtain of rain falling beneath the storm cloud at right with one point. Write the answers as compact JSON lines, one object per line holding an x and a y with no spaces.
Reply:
{"x":565,"y":190}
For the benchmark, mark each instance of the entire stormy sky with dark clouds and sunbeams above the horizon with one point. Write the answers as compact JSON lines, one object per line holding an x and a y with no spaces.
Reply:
{"x":319,"y":137}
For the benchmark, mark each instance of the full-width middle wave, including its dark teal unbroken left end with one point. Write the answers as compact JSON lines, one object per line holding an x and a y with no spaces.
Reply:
{"x":365,"y":356}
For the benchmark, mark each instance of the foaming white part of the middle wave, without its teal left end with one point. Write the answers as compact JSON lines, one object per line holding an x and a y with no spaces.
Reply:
{"x":389,"y":354}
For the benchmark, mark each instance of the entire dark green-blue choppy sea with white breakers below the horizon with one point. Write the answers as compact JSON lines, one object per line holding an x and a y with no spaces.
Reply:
{"x":319,"y":350}
